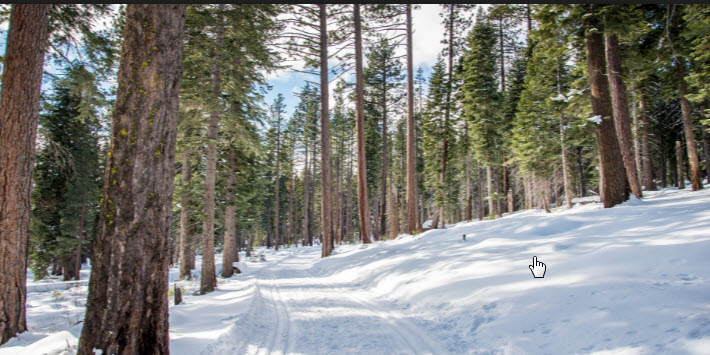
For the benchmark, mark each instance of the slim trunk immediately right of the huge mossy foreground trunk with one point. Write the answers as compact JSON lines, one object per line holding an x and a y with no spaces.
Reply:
{"x":187,"y":242}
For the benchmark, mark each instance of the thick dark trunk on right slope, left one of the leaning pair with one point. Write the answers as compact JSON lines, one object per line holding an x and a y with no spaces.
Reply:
{"x":613,"y":185}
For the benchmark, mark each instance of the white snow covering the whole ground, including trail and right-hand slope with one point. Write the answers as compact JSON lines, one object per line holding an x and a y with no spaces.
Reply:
{"x":631,"y":279}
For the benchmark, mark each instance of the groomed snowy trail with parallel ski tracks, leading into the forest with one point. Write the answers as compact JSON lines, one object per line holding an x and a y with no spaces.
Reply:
{"x":311,"y":314}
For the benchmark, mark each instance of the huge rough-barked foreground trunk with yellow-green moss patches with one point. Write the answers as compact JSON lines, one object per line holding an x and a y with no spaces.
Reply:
{"x":127,"y":306}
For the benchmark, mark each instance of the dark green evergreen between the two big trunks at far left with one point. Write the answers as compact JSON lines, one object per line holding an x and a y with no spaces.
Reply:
{"x":67,"y":176}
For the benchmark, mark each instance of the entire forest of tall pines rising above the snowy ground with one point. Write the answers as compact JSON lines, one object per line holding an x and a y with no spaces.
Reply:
{"x":147,"y":143}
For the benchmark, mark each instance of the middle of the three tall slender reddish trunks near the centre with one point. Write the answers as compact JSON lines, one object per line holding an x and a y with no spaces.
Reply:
{"x":363,"y":212}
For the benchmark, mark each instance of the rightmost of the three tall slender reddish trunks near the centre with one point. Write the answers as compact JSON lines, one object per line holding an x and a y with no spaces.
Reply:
{"x":411,"y":134}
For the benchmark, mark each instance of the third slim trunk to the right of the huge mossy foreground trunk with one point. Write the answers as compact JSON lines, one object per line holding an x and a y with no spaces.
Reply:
{"x":230,"y":212}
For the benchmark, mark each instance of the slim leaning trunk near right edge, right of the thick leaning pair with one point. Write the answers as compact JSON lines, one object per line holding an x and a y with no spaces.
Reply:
{"x":695,"y":176}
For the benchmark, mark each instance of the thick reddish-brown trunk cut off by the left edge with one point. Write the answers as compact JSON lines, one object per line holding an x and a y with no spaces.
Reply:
{"x":19,"y":108}
